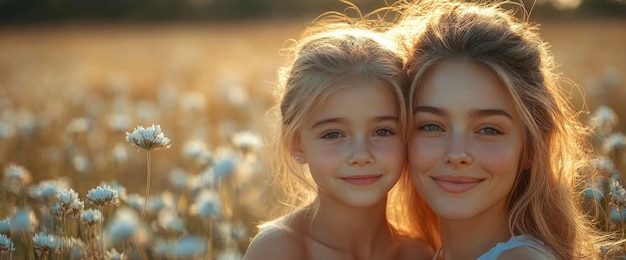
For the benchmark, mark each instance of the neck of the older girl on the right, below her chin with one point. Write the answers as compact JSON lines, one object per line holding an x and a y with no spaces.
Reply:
{"x":471,"y":238}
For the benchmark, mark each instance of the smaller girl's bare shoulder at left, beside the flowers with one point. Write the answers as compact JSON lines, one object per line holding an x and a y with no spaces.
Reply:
{"x":278,"y":240}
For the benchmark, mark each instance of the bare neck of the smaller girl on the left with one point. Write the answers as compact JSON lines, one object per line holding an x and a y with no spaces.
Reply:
{"x":354,"y":230}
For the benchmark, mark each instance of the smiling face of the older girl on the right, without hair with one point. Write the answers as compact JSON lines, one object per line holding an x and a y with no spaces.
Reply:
{"x":467,"y":142}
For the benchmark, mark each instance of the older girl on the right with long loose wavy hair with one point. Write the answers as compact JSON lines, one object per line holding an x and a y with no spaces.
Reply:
{"x":495,"y":149}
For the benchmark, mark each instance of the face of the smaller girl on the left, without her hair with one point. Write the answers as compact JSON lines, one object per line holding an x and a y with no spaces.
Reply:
{"x":353,"y":145}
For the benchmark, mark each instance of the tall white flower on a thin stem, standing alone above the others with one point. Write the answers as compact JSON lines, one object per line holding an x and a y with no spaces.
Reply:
{"x":148,"y":138}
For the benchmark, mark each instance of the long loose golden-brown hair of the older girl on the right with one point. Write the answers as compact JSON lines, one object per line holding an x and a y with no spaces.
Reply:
{"x":544,"y":201}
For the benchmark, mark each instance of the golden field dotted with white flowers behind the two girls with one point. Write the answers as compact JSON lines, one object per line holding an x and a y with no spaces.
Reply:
{"x":150,"y":141}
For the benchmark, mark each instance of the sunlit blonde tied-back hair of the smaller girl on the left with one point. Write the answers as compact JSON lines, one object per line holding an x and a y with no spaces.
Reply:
{"x":334,"y":49}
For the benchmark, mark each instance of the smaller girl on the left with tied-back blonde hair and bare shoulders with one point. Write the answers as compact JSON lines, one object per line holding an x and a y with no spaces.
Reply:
{"x":343,"y":114}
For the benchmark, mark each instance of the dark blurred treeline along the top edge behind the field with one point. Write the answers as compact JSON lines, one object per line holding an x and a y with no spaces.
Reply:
{"x":38,"y":11}
